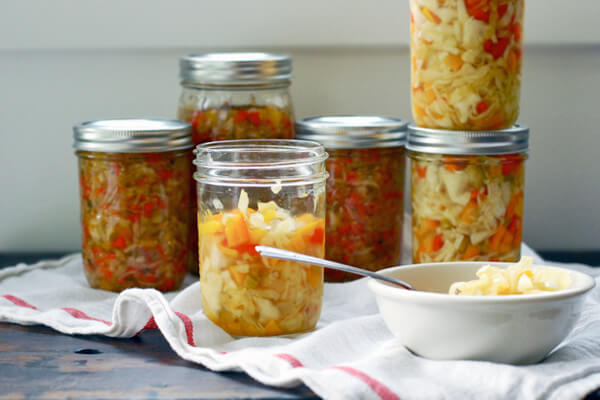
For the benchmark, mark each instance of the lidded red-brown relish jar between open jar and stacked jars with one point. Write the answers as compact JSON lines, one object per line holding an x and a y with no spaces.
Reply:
{"x":364,"y":189}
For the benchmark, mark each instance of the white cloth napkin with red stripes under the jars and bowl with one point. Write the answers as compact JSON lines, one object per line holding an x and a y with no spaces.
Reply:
{"x":350,"y":355}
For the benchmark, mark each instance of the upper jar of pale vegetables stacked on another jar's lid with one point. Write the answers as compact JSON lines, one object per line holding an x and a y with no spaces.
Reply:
{"x":466,"y":63}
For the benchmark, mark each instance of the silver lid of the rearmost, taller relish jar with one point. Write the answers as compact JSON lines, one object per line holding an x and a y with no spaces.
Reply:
{"x":235,"y":68}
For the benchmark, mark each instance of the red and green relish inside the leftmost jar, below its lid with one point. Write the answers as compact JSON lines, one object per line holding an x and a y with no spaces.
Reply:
{"x":136,"y":219}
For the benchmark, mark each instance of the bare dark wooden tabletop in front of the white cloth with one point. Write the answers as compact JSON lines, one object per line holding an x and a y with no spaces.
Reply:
{"x":37,"y":362}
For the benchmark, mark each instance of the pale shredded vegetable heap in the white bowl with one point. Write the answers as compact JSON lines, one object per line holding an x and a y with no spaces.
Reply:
{"x":520,"y":278}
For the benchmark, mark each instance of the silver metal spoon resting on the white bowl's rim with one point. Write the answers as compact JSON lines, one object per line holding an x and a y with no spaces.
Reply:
{"x":273,"y":252}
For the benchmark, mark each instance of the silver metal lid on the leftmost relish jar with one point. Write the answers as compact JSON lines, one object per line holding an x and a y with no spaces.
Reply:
{"x":132,"y":135}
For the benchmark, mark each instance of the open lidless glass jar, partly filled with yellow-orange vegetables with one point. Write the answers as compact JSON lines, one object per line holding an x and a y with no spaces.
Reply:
{"x":260,"y":192}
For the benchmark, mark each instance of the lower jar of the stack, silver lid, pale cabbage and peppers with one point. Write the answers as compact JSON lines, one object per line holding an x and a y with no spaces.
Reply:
{"x":467,"y":193}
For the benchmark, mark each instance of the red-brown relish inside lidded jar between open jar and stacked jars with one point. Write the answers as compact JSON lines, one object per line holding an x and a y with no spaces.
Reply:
{"x":364,"y":209}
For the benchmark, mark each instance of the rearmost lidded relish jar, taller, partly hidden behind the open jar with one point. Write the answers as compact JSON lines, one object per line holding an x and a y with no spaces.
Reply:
{"x":228,"y":96}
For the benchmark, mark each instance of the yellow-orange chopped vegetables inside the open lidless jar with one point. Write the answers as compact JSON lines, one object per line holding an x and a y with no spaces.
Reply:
{"x":249,"y":295}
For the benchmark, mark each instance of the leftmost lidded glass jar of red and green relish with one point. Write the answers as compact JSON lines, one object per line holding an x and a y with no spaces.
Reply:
{"x":136,"y":216}
